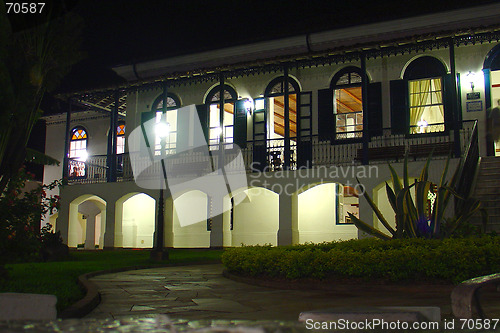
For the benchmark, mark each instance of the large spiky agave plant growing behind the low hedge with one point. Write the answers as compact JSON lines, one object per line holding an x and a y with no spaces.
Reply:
{"x":412,"y":218}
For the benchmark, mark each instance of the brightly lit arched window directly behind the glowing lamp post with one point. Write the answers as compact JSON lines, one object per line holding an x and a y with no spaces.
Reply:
{"x":170,"y":118}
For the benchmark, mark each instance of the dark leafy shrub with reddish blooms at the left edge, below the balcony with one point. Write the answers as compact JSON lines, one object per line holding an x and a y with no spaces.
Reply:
{"x":20,"y":214}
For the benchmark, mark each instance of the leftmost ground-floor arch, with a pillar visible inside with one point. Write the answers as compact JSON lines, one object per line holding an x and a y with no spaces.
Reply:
{"x":87,"y":221}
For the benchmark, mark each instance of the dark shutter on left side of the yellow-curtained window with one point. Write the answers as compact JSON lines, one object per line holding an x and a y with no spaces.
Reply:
{"x":400,"y":122}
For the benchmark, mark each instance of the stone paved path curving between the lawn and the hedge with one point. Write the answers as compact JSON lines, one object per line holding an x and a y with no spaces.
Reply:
{"x":201,"y":292}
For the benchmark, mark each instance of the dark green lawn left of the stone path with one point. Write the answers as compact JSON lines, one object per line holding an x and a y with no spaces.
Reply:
{"x":60,"y":278}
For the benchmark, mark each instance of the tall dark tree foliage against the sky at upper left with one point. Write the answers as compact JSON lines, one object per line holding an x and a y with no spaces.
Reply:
{"x":32,"y":62}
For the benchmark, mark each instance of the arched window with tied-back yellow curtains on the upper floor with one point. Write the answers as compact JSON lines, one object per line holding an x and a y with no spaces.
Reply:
{"x":425,"y":87}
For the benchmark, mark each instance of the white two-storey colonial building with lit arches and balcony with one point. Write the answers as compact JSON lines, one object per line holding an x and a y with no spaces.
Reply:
{"x":310,"y":114}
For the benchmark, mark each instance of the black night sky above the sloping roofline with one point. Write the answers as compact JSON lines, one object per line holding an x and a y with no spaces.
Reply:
{"x":126,"y":31}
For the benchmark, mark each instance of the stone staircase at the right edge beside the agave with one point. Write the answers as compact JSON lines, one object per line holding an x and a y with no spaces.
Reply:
{"x":487,"y":190}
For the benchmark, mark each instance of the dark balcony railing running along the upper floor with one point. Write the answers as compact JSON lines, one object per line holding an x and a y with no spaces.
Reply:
{"x":381,"y":148}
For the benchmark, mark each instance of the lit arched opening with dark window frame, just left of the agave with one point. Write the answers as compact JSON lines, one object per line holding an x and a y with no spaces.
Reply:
{"x":319,"y":214}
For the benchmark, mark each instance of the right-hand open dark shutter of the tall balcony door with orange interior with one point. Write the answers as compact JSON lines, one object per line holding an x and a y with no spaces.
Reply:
{"x":304,"y":129}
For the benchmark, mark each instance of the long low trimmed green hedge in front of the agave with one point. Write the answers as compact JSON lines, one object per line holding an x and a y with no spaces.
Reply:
{"x":450,"y":260}
